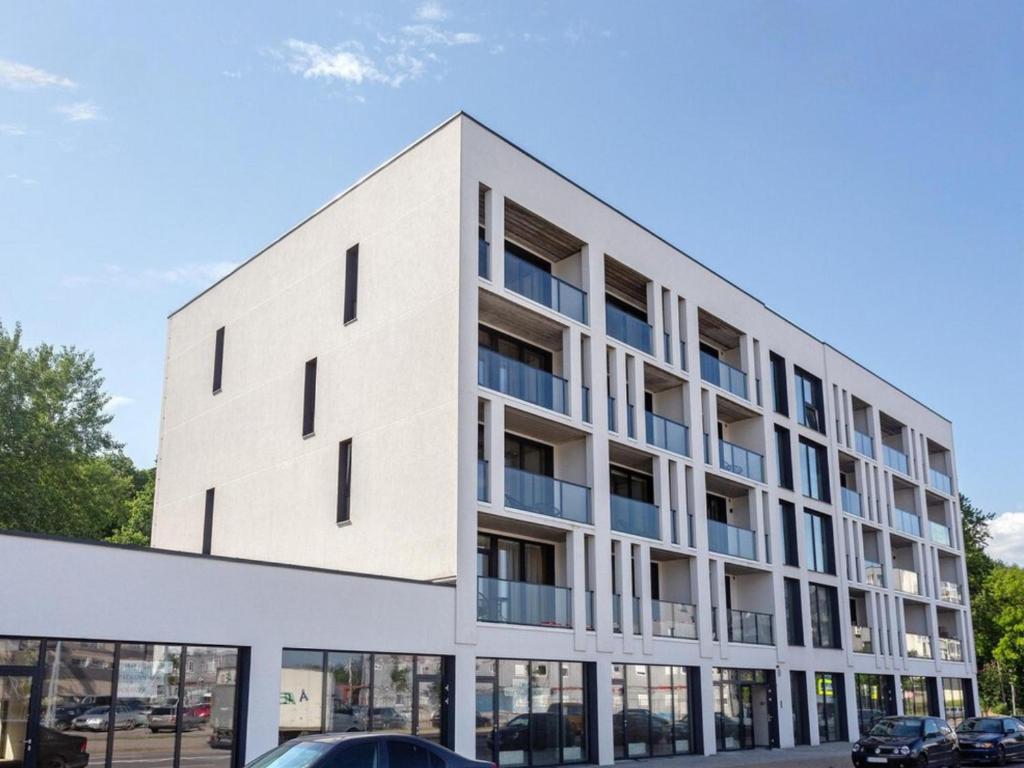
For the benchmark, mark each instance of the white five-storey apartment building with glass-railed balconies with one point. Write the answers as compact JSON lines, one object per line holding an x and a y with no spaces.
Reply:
{"x":675,"y":523}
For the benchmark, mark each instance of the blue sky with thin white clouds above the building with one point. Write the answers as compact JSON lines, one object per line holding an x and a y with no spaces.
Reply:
{"x":145,"y":149}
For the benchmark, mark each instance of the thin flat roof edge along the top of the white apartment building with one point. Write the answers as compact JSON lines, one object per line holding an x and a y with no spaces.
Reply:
{"x":614,"y":209}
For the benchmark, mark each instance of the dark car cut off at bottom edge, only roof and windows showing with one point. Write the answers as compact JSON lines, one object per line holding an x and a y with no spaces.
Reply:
{"x":363,"y":751}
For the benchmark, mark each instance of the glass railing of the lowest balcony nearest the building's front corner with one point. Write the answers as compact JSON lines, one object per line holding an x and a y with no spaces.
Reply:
{"x":522,"y":603}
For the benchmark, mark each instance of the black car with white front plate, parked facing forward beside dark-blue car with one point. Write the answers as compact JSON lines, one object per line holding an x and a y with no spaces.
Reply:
{"x":907,"y":742}
